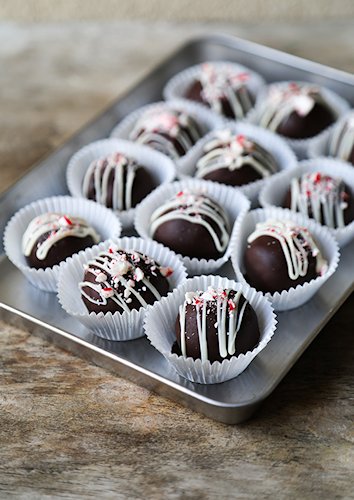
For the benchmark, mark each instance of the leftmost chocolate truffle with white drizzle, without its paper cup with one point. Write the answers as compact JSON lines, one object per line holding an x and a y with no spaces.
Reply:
{"x":51,"y":237}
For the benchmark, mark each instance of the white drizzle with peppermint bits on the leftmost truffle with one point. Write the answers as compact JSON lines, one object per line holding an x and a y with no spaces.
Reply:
{"x":56,"y":227}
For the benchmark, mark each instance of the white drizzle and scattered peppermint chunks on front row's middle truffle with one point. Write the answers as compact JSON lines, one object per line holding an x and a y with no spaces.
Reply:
{"x":119,"y":276}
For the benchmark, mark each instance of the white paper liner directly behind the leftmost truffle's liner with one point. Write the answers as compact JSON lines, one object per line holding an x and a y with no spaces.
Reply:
{"x":161,"y":168}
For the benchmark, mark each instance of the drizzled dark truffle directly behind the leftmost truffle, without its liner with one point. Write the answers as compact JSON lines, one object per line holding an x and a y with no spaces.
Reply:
{"x":117,"y":182}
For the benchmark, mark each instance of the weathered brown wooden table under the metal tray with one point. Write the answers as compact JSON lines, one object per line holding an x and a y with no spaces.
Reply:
{"x":70,"y":429}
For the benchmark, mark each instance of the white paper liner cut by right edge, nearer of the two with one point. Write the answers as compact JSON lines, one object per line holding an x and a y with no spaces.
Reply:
{"x":273,"y":193}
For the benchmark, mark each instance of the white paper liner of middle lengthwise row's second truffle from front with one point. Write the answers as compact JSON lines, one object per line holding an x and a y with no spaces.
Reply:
{"x":232,"y":200}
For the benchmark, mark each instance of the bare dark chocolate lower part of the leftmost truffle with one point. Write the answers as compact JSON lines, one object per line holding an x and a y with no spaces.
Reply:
{"x":60,"y":251}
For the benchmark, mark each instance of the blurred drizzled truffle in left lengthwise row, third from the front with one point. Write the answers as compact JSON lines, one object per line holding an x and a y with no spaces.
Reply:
{"x":169,"y":131}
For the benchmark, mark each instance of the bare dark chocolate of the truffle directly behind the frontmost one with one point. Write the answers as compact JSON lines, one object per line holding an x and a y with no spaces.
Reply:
{"x":266,"y":267}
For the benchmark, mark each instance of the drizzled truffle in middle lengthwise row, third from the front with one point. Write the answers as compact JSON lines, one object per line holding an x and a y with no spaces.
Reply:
{"x":235,"y":160}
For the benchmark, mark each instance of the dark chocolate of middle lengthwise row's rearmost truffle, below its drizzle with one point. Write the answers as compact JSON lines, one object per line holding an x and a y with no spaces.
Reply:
{"x":302,"y":127}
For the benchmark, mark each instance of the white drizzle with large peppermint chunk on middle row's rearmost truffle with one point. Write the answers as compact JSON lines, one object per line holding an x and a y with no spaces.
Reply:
{"x":283,"y":101}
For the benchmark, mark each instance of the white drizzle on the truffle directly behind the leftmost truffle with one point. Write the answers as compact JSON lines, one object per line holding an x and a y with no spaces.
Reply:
{"x":116,"y":169}
